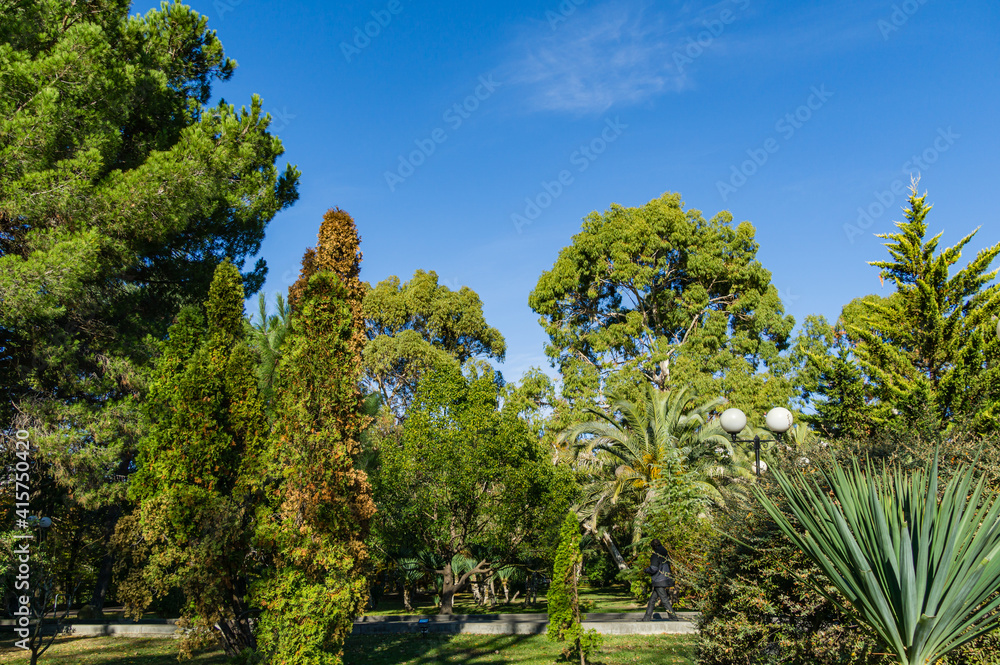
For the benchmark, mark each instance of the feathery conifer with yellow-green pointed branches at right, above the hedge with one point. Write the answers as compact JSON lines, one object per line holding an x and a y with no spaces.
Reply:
{"x":931,"y":347}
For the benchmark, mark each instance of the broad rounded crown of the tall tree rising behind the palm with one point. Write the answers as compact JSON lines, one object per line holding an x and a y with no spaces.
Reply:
{"x":661,"y":293}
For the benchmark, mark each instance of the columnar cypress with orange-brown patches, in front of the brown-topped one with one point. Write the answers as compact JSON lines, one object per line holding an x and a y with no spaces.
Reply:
{"x":316,"y":522}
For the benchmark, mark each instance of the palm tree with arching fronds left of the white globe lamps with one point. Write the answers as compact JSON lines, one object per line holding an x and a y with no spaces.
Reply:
{"x":625,"y":450}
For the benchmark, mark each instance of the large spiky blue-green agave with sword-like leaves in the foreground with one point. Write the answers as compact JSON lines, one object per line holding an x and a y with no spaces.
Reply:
{"x":923,"y":572}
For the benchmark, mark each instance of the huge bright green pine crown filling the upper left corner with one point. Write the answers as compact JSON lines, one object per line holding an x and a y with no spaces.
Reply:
{"x":120,"y":192}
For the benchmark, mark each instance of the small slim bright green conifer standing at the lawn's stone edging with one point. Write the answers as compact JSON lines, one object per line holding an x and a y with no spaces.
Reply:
{"x":564,"y":598}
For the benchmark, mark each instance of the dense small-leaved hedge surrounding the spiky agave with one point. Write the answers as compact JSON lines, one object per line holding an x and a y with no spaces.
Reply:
{"x":762,"y":604}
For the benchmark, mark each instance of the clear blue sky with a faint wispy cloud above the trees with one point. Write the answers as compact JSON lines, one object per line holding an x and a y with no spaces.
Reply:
{"x":440,"y":127}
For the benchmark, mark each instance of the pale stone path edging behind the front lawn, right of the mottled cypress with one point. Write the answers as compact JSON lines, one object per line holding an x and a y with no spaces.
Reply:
{"x":622,"y":623}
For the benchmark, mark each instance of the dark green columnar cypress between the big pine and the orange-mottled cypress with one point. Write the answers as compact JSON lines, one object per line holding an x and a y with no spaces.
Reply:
{"x":196,"y":483}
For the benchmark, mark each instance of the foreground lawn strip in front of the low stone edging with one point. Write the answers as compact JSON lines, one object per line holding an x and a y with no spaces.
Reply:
{"x":396,"y":649}
